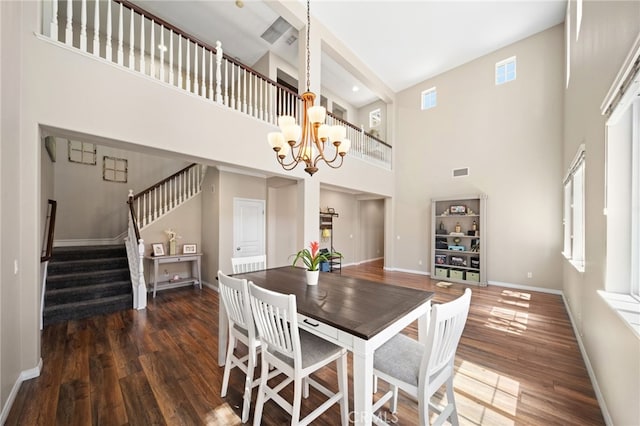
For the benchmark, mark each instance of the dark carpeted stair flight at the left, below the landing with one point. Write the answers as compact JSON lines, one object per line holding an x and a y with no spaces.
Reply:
{"x":87,"y":281}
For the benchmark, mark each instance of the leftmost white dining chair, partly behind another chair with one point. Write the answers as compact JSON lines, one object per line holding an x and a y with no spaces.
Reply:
{"x":234,"y":293}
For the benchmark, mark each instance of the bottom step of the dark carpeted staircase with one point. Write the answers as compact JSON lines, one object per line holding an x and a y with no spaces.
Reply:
{"x":87,"y":308}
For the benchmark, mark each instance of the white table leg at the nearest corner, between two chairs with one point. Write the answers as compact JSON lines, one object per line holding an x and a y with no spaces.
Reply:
{"x":362,"y":384}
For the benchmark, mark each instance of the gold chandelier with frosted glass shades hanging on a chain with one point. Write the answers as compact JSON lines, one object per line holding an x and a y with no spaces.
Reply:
{"x":310,"y":142}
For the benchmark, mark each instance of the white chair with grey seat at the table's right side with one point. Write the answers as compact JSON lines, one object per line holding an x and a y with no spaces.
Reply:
{"x":420,"y":370}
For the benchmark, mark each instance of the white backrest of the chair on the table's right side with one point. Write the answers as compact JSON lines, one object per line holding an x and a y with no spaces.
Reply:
{"x":445,"y":329}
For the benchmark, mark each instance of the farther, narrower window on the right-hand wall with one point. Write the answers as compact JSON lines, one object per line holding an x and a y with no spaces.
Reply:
{"x":573,"y":220}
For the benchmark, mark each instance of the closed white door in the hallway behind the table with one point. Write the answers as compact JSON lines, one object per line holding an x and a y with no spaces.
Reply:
{"x":248,"y":227}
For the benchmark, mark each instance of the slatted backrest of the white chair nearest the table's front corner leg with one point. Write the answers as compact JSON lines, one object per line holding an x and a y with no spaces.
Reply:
{"x":276,"y":319}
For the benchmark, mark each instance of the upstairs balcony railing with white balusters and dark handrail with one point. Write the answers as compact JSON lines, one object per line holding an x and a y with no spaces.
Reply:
{"x":120,"y":32}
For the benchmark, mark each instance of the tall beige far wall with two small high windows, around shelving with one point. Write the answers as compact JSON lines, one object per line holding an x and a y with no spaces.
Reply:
{"x":510,"y":138}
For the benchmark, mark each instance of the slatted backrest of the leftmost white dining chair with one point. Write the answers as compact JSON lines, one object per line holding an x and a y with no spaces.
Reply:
{"x":234,"y":293}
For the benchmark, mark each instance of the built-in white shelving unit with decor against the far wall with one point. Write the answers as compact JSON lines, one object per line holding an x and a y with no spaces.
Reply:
{"x":458,"y":239}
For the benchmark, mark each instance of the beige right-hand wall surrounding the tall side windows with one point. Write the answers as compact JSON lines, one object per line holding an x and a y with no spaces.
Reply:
{"x":608,"y":31}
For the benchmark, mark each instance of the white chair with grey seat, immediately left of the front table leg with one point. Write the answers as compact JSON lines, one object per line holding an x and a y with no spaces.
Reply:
{"x":295,"y":353}
